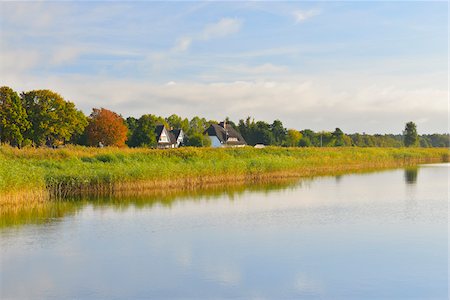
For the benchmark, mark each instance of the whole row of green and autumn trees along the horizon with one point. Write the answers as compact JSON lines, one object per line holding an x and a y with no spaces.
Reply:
{"x":43,"y":117}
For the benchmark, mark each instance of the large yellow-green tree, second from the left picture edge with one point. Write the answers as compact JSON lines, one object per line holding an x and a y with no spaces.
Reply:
{"x":53,"y":119}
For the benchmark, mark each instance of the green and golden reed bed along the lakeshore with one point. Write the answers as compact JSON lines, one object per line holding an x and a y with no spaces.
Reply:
{"x":40,"y":174}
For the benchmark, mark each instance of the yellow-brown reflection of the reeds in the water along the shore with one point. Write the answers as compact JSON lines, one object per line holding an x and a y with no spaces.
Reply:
{"x":148,"y":194}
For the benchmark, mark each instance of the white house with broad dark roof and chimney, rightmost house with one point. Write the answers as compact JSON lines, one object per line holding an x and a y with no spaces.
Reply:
{"x":223,"y":135}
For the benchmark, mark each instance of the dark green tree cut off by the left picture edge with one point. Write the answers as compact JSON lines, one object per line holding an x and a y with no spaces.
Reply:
{"x":13,"y":118}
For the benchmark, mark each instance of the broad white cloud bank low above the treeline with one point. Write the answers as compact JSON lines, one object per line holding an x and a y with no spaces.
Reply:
{"x":351,"y":103}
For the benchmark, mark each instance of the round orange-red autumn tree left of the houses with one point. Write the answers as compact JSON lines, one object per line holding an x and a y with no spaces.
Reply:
{"x":106,"y":127}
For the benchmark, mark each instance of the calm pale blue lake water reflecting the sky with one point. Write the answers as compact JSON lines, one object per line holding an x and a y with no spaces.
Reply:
{"x":380,"y":235}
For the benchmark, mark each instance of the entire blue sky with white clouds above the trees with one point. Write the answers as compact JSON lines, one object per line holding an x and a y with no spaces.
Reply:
{"x":360,"y":66}
